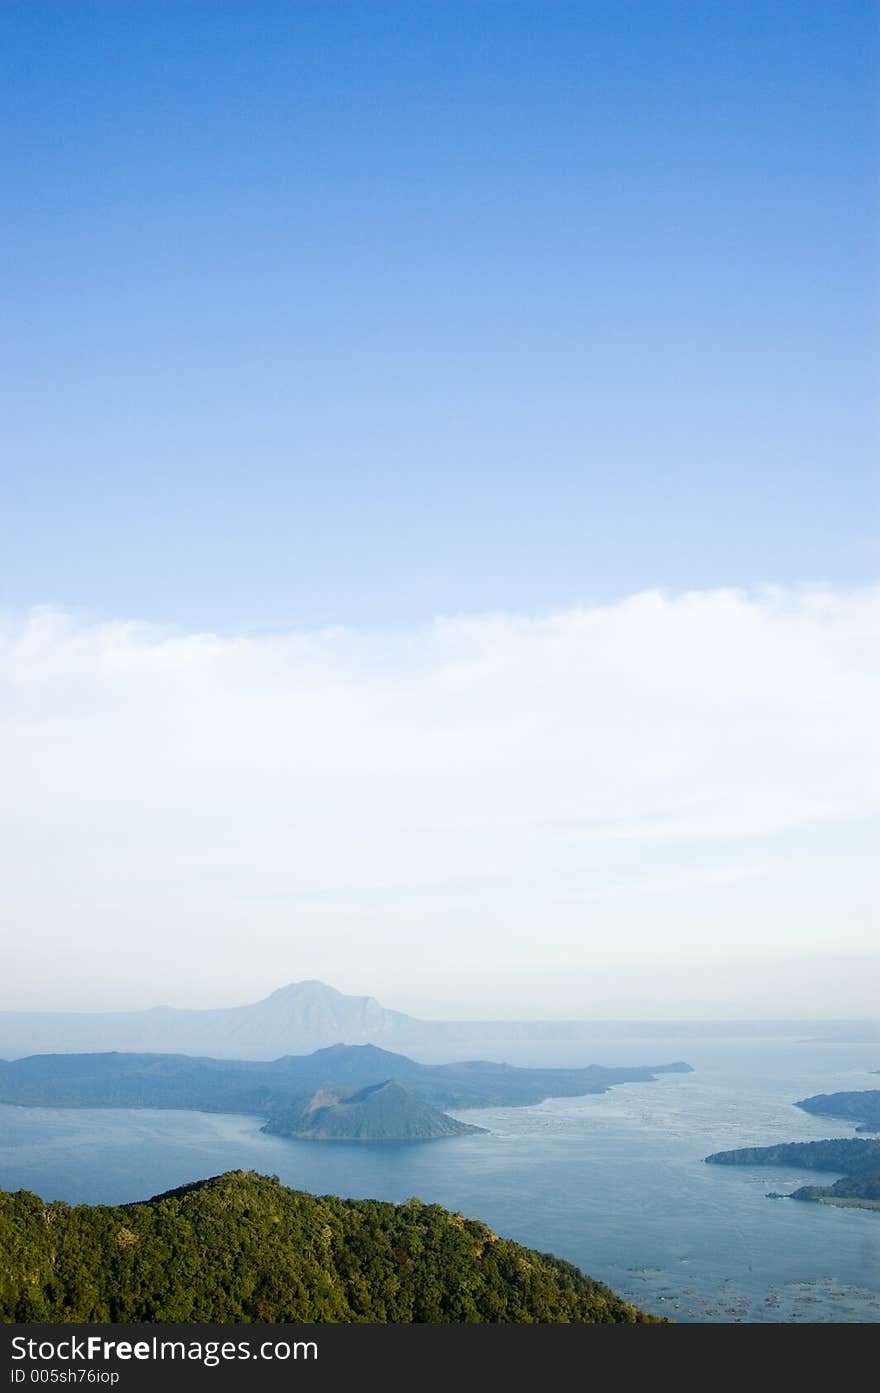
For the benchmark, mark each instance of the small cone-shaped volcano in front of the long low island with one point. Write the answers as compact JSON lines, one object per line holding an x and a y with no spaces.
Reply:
{"x":379,"y":1112}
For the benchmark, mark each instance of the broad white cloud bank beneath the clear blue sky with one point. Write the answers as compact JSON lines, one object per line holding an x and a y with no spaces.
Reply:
{"x":339,"y":797}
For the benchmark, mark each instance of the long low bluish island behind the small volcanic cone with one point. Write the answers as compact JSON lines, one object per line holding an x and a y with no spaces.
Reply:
{"x":282,"y":1089}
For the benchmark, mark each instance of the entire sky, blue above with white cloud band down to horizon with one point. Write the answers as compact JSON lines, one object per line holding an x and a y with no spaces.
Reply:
{"x":438,"y":505}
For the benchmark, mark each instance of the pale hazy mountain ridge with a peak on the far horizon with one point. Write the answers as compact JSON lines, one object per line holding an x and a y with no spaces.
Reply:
{"x":303,"y":1018}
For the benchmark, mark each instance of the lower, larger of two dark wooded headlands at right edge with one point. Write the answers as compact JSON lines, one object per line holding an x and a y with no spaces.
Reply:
{"x":858,"y":1160}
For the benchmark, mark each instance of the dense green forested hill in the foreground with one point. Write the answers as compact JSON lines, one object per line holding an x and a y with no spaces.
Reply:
{"x":242,"y":1247}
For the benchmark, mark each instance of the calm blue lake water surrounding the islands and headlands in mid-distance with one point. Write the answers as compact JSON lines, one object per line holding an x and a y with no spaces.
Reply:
{"x":616,"y":1183}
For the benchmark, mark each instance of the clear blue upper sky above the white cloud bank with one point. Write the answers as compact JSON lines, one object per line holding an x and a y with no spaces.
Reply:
{"x":368,"y":313}
